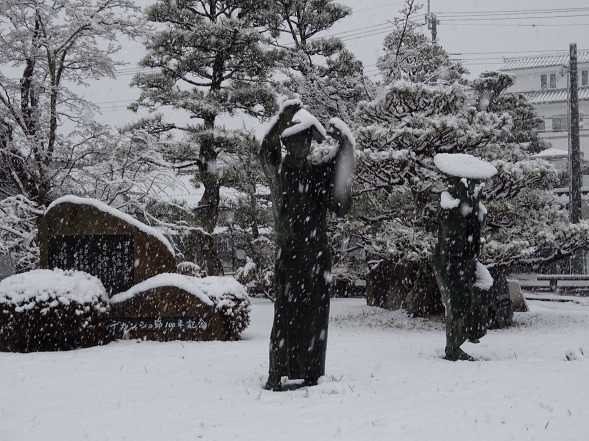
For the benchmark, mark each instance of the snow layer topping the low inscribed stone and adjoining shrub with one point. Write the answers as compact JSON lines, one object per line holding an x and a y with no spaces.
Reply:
{"x":212,"y":291}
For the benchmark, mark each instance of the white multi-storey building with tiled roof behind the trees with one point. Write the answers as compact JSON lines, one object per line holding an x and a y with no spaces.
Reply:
{"x":544,"y":79}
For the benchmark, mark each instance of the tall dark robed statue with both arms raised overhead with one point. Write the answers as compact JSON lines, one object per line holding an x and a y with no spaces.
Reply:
{"x":303,"y":193}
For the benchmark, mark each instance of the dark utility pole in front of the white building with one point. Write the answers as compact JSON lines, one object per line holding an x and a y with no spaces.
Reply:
{"x":575,"y":154}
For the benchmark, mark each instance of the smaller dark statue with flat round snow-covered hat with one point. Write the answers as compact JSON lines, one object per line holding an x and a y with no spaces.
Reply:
{"x":463,"y":281}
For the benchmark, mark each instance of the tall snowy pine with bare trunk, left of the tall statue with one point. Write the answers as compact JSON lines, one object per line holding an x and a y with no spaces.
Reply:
{"x":208,"y":60}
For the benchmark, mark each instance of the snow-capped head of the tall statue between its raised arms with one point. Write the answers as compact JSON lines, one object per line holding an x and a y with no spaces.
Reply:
{"x":304,"y":129}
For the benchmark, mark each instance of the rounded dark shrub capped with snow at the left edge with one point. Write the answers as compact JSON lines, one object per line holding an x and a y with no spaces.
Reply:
{"x":51,"y":310}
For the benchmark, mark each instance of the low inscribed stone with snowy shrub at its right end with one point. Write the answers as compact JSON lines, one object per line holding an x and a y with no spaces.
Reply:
{"x":179,"y":307}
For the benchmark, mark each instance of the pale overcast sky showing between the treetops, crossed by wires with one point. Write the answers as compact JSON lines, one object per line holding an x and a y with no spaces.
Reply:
{"x":480,"y":32}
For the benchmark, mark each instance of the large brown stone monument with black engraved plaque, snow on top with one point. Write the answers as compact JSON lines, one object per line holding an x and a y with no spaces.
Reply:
{"x":87,"y":235}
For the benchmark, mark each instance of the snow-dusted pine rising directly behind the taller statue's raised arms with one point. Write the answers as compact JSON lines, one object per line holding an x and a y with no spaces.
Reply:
{"x":320,"y":70}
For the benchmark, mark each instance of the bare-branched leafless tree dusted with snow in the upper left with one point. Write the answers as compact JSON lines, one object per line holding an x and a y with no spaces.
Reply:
{"x":46,"y":48}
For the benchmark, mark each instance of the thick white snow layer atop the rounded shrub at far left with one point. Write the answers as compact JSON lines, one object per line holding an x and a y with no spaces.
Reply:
{"x":51,"y":286}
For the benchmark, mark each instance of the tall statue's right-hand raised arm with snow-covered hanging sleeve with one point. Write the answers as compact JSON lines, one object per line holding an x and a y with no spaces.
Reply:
{"x":343,"y":167}
